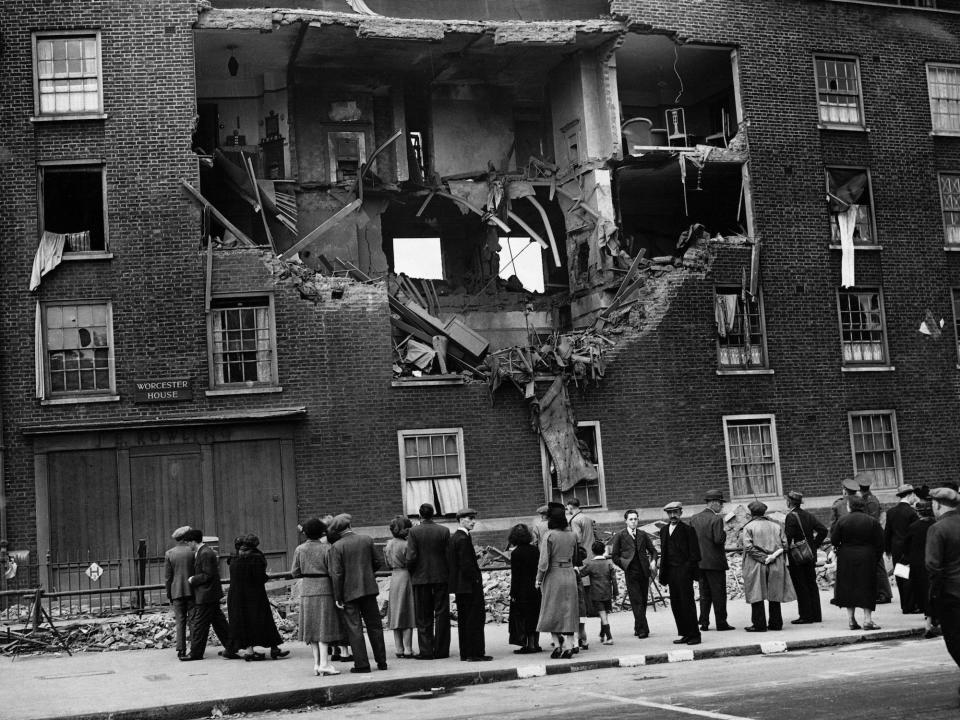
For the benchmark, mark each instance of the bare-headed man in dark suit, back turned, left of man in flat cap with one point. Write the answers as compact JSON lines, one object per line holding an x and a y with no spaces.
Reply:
{"x":427,"y":562}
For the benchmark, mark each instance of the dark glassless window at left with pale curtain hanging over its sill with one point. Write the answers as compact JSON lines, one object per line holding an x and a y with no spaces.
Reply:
{"x":72,"y":203}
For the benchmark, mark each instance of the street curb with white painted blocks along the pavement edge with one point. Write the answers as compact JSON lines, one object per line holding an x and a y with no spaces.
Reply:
{"x":343,"y":694}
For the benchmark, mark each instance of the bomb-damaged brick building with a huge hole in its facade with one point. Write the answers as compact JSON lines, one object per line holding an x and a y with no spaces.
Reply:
{"x":264,"y":263}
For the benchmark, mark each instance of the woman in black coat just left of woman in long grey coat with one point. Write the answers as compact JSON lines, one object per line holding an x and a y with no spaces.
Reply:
{"x":524,"y":596}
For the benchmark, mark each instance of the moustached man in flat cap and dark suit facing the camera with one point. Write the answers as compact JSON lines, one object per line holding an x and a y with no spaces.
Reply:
{"x":679,"y":565}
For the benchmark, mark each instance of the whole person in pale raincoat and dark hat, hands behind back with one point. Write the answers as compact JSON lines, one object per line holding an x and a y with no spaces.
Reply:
{"x":765,"y":575}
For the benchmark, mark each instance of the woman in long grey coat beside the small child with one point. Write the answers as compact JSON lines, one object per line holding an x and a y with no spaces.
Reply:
{"x":557,"y":581}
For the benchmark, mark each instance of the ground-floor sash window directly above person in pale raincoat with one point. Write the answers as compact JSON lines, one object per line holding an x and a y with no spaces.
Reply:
{"x":753,"y":462}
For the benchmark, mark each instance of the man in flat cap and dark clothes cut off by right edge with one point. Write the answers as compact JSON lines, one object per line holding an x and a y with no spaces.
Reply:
{"x":943,"y":567}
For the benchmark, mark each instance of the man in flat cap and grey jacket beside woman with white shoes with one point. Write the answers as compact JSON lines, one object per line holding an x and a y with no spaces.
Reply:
{"x":354,"y":561}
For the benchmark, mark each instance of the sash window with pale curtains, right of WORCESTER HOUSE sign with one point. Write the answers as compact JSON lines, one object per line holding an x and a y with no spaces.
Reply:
{"x":242,"y":342}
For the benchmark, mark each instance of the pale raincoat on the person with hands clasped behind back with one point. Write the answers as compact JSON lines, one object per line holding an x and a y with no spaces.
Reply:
{"x":761,"y":537}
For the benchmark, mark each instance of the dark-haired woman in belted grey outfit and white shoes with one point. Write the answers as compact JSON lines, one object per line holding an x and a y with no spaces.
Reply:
{"x":319,"y":622}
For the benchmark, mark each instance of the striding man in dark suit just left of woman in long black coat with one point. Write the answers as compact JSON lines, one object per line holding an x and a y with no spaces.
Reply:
{"x":207,"y":593}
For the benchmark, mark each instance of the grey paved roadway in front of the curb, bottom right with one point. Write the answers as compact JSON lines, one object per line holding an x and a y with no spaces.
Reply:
{"x":909,"y":679}
